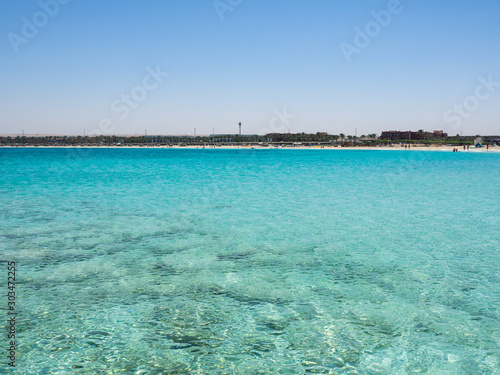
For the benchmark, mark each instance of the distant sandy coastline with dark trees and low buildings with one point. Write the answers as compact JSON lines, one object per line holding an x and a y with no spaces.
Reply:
{"x":320,"y":140}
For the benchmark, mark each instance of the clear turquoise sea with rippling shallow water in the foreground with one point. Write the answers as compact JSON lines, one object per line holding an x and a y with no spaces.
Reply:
{"x":163,"y":261}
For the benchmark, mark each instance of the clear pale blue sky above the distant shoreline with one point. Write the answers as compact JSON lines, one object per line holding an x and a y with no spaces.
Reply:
{"x":356,"y":67}
